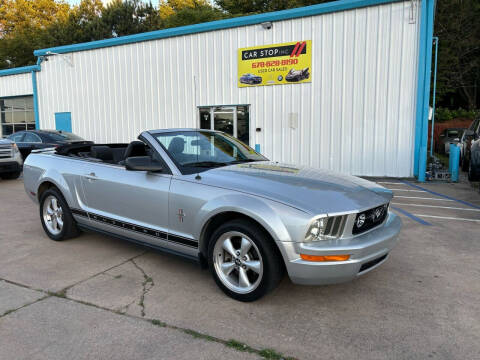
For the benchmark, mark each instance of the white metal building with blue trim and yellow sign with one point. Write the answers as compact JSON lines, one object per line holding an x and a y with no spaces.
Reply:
{"x":361,"y":108}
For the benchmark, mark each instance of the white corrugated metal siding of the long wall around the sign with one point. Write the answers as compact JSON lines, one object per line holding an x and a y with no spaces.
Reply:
{"x":356,"y":116}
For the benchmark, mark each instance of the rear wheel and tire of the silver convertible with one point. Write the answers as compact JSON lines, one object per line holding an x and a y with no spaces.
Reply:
{"x":62,"y":212}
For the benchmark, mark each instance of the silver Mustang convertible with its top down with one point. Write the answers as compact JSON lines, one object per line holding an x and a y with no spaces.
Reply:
{"x":207,"y":196}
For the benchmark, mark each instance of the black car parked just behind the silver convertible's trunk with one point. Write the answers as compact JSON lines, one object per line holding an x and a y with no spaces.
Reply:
{"x":40,"y":139}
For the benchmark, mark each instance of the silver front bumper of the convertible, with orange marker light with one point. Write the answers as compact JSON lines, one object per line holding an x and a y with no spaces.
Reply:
{"x":367,"y":251}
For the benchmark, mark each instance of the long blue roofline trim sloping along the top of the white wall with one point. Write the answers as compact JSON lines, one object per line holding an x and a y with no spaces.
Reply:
{"x":218,"y":25}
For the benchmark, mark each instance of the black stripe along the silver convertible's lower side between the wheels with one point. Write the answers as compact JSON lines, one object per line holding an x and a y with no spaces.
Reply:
{"x":136,"y":228}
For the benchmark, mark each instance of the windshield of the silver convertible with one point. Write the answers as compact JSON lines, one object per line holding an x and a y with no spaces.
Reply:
{"x":204,"y":149}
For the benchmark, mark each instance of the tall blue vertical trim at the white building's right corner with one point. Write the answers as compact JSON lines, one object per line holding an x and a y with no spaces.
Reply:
{"x":423,"y":89}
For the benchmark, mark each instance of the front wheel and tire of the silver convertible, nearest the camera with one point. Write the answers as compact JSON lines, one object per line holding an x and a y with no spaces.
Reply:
{"x":261,"y":267}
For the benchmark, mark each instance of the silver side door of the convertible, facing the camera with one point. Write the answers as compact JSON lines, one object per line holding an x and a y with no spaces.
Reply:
{"x":129,"y":203}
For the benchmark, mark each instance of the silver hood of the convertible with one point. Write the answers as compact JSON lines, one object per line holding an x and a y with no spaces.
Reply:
{"x":309,"y":189}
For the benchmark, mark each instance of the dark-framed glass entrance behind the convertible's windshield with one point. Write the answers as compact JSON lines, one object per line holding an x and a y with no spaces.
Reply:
{"x":233,"y":120}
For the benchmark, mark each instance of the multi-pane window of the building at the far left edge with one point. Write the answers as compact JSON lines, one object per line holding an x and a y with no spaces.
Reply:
{"x":16,"y":114}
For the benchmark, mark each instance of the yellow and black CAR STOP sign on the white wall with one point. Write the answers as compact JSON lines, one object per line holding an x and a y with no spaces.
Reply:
{"x":287,"y":63}
